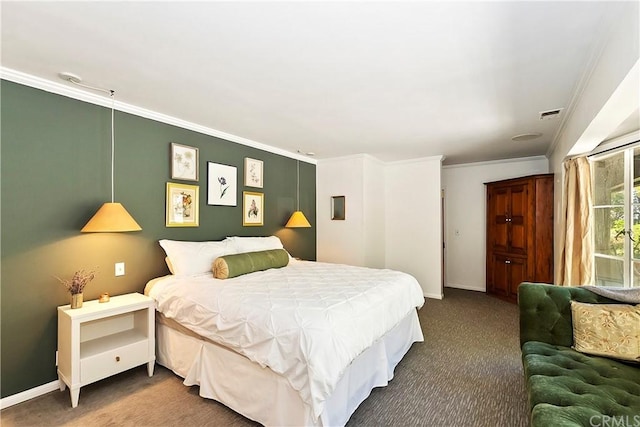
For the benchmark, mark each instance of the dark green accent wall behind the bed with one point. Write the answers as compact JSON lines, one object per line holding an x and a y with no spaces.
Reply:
{"x":55,"y":173}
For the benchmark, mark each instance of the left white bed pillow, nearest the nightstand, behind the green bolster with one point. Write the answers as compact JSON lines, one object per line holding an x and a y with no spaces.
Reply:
{"x":188,"y":258}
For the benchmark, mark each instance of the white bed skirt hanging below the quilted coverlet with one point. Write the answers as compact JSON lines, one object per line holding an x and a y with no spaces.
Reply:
{"x":267,"y":397}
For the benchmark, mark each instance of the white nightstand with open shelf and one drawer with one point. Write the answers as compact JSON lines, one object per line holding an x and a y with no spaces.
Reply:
{"x":102,"y":339}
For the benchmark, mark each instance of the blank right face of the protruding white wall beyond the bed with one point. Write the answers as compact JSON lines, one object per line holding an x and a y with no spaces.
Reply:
{"x":413,"y":221}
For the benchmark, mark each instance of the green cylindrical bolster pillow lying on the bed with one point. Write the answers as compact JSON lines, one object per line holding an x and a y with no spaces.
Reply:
{"x":228,"y":266}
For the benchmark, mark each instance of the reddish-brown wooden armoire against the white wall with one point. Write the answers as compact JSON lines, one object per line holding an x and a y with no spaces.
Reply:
{"x":519,"y":234}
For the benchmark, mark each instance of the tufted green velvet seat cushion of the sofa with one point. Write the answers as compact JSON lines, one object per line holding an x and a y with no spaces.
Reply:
{"x":568,"y":388}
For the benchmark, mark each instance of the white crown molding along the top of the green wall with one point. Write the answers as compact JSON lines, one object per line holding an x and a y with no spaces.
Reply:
{"x":105,"y":101}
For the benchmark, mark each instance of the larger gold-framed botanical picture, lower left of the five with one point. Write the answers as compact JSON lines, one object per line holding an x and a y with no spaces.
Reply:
{"x":182,"y":205}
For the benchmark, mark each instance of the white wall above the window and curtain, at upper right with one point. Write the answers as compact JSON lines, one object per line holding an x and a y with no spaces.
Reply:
{"x":606,"y":97}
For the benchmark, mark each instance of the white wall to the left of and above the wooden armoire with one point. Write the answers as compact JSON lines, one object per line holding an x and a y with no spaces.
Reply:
{"x":465,"y":212}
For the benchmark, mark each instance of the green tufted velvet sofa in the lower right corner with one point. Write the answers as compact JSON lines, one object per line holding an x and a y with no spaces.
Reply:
{"x":565,"y":387}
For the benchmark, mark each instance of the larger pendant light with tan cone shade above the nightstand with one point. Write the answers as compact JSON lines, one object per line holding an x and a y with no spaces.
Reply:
{"x":112,"y":217}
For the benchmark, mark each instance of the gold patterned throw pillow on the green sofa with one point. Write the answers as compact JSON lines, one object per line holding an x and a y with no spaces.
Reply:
{"x":610,"y":330}
